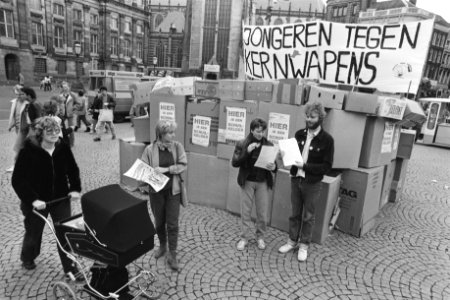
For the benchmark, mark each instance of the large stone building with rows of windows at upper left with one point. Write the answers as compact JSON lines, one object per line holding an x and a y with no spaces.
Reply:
{"x":41,"y":37}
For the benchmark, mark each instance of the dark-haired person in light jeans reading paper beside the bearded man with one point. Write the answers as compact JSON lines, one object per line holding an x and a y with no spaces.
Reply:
{"x":254,"y":180}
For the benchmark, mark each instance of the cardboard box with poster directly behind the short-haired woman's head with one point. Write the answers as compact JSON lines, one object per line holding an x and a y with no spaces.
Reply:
{"x":162,"y":105}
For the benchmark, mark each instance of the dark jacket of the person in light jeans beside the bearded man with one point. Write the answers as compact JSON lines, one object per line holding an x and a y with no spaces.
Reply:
{"x":241,"y":160}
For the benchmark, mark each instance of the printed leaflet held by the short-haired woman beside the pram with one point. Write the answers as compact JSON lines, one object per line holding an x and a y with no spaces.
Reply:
{"x":143,"y":172}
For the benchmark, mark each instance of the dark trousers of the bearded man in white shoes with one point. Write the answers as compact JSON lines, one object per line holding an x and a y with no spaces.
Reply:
{"x":303,"y":200}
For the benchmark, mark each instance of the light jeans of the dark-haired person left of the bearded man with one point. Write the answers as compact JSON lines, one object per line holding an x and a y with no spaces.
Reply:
{"x":259,"y":193}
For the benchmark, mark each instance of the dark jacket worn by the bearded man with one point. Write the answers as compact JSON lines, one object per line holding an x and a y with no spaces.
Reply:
{"x":320,"y":158}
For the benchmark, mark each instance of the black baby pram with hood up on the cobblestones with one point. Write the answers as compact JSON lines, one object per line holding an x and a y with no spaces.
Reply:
{"x":113,"y":231}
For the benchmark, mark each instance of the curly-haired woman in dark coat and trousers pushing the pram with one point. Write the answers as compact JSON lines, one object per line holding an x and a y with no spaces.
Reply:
{"x":45,"y":170}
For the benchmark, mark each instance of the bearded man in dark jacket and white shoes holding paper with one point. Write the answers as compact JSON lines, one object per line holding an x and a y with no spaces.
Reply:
{"x":317,"y":149}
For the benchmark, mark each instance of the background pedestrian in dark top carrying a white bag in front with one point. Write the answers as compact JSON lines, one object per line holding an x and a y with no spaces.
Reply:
{"x":104,"y":102}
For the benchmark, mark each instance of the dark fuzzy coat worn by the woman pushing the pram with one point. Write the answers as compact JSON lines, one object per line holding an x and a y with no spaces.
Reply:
{"x":39,"y":176}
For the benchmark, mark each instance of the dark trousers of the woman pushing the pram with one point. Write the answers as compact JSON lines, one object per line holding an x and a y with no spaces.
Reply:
{"x":34,"y":226}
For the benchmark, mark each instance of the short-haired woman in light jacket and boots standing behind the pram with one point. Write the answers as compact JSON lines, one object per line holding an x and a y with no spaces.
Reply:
{"x":168,"y":157}
